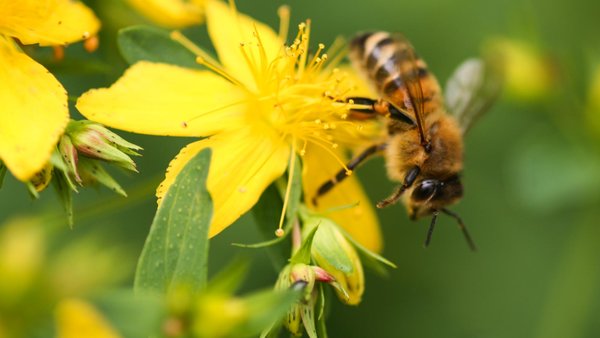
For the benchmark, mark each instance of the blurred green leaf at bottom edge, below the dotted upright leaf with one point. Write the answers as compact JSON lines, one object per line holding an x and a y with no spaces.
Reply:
{"x":134,"y":316}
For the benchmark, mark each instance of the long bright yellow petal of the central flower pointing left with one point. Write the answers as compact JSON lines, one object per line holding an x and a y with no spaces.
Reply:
{"x":160,"y":99}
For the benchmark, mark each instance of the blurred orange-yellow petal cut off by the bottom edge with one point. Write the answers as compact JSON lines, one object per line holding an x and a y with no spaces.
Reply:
{"x":77,"y":318}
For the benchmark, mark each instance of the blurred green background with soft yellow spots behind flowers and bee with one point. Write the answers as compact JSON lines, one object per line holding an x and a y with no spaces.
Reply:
{"x":532,"y":183}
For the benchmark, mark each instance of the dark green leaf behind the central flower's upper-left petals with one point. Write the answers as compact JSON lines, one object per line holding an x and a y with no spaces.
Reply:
{"x":145,"y":43}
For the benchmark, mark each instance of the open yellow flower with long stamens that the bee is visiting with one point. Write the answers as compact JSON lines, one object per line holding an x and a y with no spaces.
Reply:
{"x":258,"y":106}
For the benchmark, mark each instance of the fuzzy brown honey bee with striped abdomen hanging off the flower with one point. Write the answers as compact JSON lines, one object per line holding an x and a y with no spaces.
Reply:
{"x":423,"y":147}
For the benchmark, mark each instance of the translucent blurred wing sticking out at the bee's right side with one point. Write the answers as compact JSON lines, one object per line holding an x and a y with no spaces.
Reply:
{"x":471,"y":90}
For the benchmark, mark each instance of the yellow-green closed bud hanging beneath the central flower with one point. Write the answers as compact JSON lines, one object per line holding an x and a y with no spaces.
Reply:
{"x":334,"y":254}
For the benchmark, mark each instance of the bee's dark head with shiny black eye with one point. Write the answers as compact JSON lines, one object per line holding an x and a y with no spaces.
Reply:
{"x":430,"y":194}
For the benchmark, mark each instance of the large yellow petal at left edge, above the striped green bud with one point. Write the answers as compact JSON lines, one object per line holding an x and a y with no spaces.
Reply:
{"x":34,"y":112}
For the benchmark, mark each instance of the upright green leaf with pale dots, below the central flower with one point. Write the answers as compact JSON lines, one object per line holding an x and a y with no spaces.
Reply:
{"x":176,"y":251}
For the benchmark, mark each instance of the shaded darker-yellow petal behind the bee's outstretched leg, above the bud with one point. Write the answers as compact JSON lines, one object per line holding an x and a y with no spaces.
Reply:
{"x":360,"y":221}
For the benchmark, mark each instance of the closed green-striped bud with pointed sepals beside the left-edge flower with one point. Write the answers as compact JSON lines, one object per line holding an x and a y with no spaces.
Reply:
{"x":95,"y":141}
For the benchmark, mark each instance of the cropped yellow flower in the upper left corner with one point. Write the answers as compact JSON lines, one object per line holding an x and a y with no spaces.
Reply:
{"x":34,"y":104}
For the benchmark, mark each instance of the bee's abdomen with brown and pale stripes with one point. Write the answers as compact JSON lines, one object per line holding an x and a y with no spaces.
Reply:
{"x":395,"y":71}
